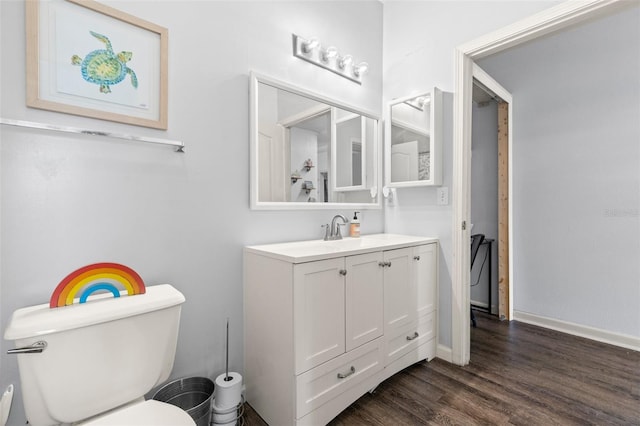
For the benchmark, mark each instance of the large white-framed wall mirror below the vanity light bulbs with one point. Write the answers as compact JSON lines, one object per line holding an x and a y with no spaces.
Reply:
{"x":311,"y":152}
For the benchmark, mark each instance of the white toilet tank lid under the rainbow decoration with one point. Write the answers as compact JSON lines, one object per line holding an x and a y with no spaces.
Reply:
{"x":40,"y":320}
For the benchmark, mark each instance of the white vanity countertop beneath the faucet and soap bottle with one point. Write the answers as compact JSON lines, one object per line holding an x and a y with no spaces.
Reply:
{"x":308,"y":251}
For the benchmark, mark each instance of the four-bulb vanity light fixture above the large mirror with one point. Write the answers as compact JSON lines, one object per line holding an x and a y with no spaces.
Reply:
{"x":310,"y":50}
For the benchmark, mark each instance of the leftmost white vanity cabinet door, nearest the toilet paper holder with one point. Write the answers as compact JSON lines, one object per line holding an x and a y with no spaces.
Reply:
{"x":318,"y":312}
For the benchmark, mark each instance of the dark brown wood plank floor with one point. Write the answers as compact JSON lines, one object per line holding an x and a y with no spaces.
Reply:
{"x":519,"y":375}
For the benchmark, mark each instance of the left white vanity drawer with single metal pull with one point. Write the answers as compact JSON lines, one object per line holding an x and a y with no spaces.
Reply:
{"x":323,"y":383}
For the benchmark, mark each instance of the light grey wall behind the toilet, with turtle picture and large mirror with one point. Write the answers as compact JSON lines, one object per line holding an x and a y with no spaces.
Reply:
{"x":68,"y":201}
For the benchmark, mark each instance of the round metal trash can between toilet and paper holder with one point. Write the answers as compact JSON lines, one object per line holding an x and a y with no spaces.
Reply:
{"x":192,"y":394}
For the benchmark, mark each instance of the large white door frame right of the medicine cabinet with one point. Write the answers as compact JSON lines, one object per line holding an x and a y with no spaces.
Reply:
{"x":550,"y":20}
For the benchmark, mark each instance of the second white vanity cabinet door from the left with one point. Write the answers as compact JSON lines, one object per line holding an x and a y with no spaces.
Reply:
{"x":364,"y":299}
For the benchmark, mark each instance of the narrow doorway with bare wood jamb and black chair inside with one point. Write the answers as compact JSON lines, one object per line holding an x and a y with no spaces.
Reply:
{"x":491,"y":195}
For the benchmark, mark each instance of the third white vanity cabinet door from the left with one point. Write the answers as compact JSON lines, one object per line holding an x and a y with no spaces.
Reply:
{"x":399,"y":289}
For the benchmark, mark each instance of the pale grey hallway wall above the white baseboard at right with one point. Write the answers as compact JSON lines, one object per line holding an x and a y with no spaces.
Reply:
{"x":576,"y":179}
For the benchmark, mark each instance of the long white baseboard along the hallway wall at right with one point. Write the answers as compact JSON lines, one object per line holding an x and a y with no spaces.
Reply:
{"x":617,"y":339}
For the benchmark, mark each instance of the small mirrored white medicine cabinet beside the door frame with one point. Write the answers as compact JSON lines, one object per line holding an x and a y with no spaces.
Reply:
{"x":413,"y":141}
